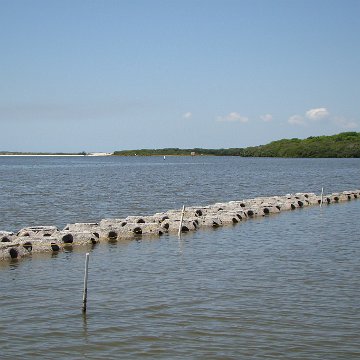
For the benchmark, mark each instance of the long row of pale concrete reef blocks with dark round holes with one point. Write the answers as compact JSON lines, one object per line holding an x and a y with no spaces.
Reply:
{"x":50,"y":239}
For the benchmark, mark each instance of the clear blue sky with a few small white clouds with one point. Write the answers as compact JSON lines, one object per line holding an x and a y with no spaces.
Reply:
{"x":106,"y":75}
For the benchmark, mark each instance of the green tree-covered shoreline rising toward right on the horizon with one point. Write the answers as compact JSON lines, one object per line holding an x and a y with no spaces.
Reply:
{"x":343,"y":145}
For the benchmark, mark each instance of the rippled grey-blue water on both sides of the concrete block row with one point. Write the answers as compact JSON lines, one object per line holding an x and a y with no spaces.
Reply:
{"x":280,"y":287}
